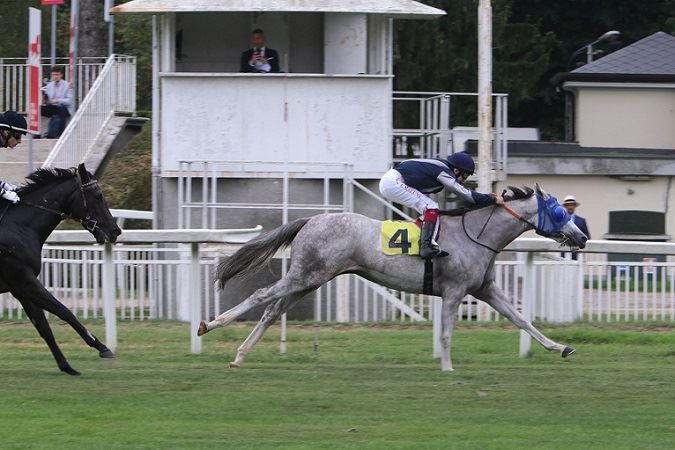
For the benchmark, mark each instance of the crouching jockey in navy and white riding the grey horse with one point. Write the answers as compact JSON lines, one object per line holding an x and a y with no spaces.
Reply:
{"x":410,"y":180}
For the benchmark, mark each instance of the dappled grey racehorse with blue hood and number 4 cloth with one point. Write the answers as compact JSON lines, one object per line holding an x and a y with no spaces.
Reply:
{"x":327,"y":245}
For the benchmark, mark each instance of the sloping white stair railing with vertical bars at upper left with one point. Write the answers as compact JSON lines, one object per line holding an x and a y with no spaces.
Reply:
{"x":113,"y":91}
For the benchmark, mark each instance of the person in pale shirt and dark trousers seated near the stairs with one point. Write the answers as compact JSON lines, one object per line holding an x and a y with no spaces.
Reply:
{"x":58,"y":103}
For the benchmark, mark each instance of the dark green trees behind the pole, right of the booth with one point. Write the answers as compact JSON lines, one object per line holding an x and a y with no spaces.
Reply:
{"x":532,"y":40}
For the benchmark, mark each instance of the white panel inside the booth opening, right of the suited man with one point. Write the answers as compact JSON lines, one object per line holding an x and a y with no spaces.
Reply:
{"x":345,"y":43}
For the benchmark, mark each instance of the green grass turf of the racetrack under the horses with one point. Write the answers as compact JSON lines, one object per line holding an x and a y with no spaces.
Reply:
{"x":369,"y":387}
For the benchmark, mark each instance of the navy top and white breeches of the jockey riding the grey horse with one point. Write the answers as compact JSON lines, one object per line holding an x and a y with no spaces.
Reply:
{"x":411,"y":179}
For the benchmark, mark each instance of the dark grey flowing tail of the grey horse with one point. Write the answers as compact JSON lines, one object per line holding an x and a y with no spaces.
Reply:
{"x":255,"y":253}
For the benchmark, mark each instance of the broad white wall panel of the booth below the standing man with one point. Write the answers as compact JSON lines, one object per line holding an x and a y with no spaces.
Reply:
{"x":272,"y":117}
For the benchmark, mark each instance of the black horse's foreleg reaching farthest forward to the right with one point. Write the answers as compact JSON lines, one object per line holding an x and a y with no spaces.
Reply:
{"x":26,"y":288}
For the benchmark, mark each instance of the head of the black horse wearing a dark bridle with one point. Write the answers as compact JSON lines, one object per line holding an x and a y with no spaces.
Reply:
{"x":90,"y":208}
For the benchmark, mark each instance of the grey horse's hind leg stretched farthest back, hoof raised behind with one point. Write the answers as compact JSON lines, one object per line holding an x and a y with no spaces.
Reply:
{"x":288,"y":285}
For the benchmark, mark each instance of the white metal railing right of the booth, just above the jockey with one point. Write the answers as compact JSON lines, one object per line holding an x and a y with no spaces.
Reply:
{"x":433,"y":125}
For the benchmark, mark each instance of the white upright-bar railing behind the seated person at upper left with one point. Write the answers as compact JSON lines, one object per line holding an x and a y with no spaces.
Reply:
{"x":14,"y":78}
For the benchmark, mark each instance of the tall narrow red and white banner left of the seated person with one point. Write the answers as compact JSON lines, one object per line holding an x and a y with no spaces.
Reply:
{"x":34,"y":72}
